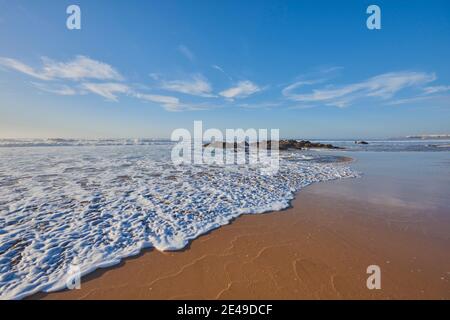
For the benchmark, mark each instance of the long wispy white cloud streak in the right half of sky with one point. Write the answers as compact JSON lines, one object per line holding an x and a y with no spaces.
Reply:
{"x":383,"y":86}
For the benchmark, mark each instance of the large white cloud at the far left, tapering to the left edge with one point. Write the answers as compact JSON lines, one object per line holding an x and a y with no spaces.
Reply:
{"x":77,"y":69}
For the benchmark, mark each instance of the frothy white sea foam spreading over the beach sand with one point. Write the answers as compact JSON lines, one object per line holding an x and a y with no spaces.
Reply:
{"x":91,"y":206}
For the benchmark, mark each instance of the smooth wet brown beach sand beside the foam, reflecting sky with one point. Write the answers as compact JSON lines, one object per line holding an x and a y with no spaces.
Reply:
{"x":318,"y":249}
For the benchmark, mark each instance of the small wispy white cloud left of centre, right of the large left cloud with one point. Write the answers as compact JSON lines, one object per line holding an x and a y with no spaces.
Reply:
{"x":196,"y":86}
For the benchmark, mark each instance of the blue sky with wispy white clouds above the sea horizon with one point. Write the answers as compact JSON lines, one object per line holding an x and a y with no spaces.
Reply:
{"x":144,"y":68}
